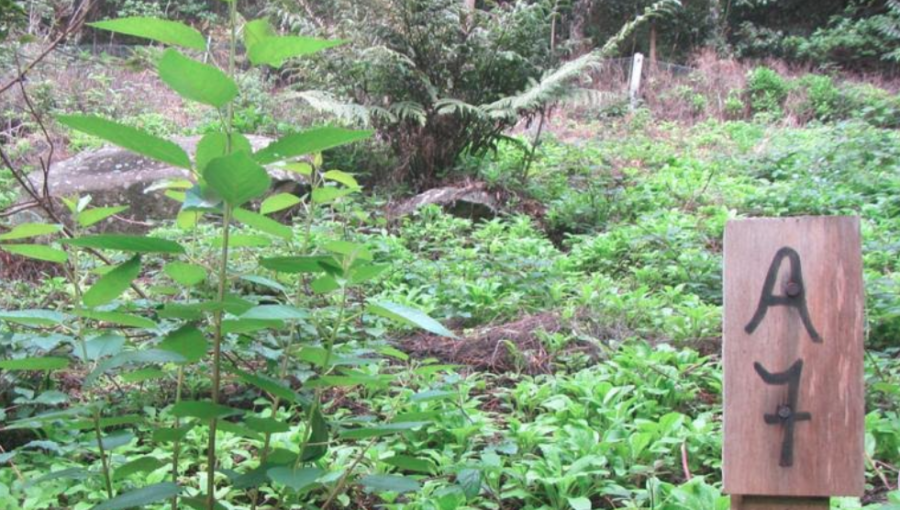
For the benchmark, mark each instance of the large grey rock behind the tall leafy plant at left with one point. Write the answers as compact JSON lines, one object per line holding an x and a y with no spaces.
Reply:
{"x":114,"y":176}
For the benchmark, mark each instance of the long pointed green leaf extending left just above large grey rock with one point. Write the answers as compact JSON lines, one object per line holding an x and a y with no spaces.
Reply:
{"x":129,"y":138}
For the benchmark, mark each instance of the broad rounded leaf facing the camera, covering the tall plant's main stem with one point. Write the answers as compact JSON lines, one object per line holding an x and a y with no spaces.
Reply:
{"x":236,"y":178}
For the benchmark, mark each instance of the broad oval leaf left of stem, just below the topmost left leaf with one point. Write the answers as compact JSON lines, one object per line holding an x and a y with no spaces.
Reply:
{"x":196,"y":81}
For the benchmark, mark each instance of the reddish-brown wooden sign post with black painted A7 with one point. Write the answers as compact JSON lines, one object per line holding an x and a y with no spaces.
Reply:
{"x":793,"y":361}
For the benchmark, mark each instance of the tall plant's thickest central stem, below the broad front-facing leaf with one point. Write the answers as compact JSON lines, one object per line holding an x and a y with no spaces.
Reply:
{"x":217,"y":361}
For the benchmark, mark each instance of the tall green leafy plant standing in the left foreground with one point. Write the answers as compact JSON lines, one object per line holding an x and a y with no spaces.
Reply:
{"x":228,"y":177}
